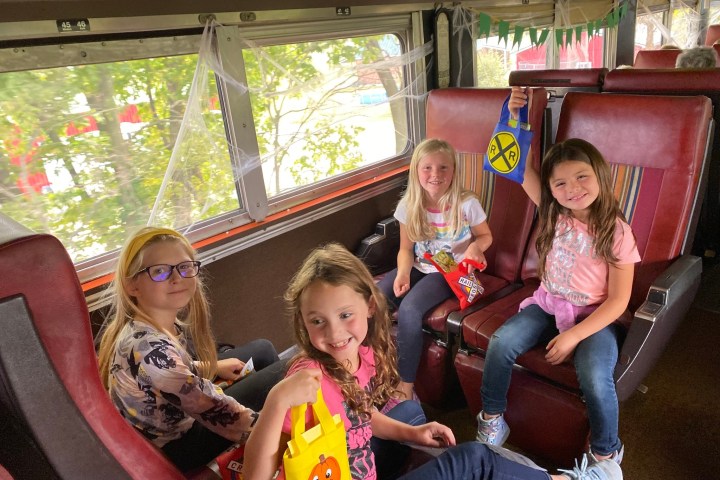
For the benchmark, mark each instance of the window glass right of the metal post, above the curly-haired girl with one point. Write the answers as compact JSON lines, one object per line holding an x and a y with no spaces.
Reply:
{"x":324,"y":108}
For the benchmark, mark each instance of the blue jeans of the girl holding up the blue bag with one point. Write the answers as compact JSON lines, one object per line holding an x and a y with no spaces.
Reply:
{"x":595,"y":359}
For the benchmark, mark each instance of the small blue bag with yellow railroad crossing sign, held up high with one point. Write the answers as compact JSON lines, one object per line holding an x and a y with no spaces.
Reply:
{"x":509,"y":145}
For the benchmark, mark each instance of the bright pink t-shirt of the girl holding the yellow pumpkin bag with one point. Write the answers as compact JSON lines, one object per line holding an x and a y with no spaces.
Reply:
{"x":358,"y":431}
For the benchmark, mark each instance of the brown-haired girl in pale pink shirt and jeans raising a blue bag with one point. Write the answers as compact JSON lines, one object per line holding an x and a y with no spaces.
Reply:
{"x":587,"y":253}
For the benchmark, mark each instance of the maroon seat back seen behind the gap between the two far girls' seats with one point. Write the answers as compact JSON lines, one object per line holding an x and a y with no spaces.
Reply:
{"x":558,"y":83}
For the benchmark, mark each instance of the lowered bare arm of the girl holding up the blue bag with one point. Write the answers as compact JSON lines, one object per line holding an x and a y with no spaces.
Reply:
{"x":620,"y":279}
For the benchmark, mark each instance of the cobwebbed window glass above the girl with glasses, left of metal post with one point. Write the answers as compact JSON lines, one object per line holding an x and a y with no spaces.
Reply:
{"x":84,"y":151}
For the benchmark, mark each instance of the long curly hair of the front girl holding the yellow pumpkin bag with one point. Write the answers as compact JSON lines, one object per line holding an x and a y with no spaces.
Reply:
{"x":335,"y":265}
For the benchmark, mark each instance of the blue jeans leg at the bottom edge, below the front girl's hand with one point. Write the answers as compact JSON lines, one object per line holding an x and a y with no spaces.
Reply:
{"x":473,"y":461}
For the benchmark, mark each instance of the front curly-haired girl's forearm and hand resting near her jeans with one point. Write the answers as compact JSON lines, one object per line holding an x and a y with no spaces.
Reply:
{"x":431,"y":434}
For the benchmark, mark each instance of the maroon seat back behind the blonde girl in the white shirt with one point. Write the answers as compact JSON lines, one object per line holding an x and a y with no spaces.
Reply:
{"x":466,"y":118}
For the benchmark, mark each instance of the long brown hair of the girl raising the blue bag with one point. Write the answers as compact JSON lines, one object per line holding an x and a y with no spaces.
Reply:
{"x":604,"y":211}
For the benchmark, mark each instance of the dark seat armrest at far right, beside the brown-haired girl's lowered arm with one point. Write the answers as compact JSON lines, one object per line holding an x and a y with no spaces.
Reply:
{"x":668,"y":300}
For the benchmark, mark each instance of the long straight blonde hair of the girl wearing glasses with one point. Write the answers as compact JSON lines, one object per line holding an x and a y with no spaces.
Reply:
{"x":125,"y":308}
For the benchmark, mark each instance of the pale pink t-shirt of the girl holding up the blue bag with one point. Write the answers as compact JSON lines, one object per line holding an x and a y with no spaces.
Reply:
{"x":574,"y":271}
